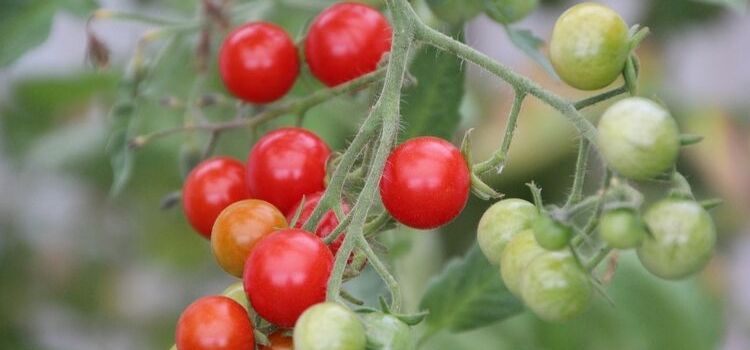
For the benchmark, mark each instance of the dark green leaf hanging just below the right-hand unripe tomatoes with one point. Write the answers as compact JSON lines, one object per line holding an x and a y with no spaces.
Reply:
{"x":468,"y":294}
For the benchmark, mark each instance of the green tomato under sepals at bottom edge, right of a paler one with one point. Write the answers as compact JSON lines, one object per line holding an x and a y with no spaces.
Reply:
{"x":387,"y":332}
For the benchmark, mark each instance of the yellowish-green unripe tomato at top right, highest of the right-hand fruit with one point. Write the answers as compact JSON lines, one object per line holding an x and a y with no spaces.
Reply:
{"x":589,"y":46}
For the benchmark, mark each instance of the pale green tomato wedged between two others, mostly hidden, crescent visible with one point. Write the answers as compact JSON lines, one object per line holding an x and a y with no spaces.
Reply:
{"x":519,"y":252}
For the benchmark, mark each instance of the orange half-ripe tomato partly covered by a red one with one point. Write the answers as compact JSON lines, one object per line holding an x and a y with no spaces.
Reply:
{"x":239,"y":228}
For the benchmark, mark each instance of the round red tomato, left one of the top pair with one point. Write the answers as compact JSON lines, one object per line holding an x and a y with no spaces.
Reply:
{"x":258,"y":62}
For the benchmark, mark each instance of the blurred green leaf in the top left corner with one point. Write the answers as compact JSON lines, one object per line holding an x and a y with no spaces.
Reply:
{"x":26,"y":23}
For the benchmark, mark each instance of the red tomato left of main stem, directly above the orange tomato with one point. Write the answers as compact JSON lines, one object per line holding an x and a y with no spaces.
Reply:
{"x":285,"y":165}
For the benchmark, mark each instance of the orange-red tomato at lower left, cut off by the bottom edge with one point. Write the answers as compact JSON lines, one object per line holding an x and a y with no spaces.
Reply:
{"x":214,"y":323}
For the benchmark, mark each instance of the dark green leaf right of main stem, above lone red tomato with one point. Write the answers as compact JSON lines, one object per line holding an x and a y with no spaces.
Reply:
{"x":432,"y":107}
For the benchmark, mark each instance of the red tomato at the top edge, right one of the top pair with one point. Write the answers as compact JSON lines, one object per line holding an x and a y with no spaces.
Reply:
{"x":345,"y":41}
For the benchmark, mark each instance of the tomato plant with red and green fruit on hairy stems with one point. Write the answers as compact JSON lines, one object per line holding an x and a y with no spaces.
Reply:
{"x":543,"y":255}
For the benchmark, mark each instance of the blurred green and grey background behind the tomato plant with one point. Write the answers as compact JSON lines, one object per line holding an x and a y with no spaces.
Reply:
{"x":82,"y":269}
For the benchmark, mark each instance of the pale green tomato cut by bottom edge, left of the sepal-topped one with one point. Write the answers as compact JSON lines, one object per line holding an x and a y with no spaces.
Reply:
{"x":329,"y":326}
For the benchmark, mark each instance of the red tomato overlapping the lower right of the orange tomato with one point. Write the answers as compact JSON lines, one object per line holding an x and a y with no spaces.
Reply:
{"x":286,"y":273}
